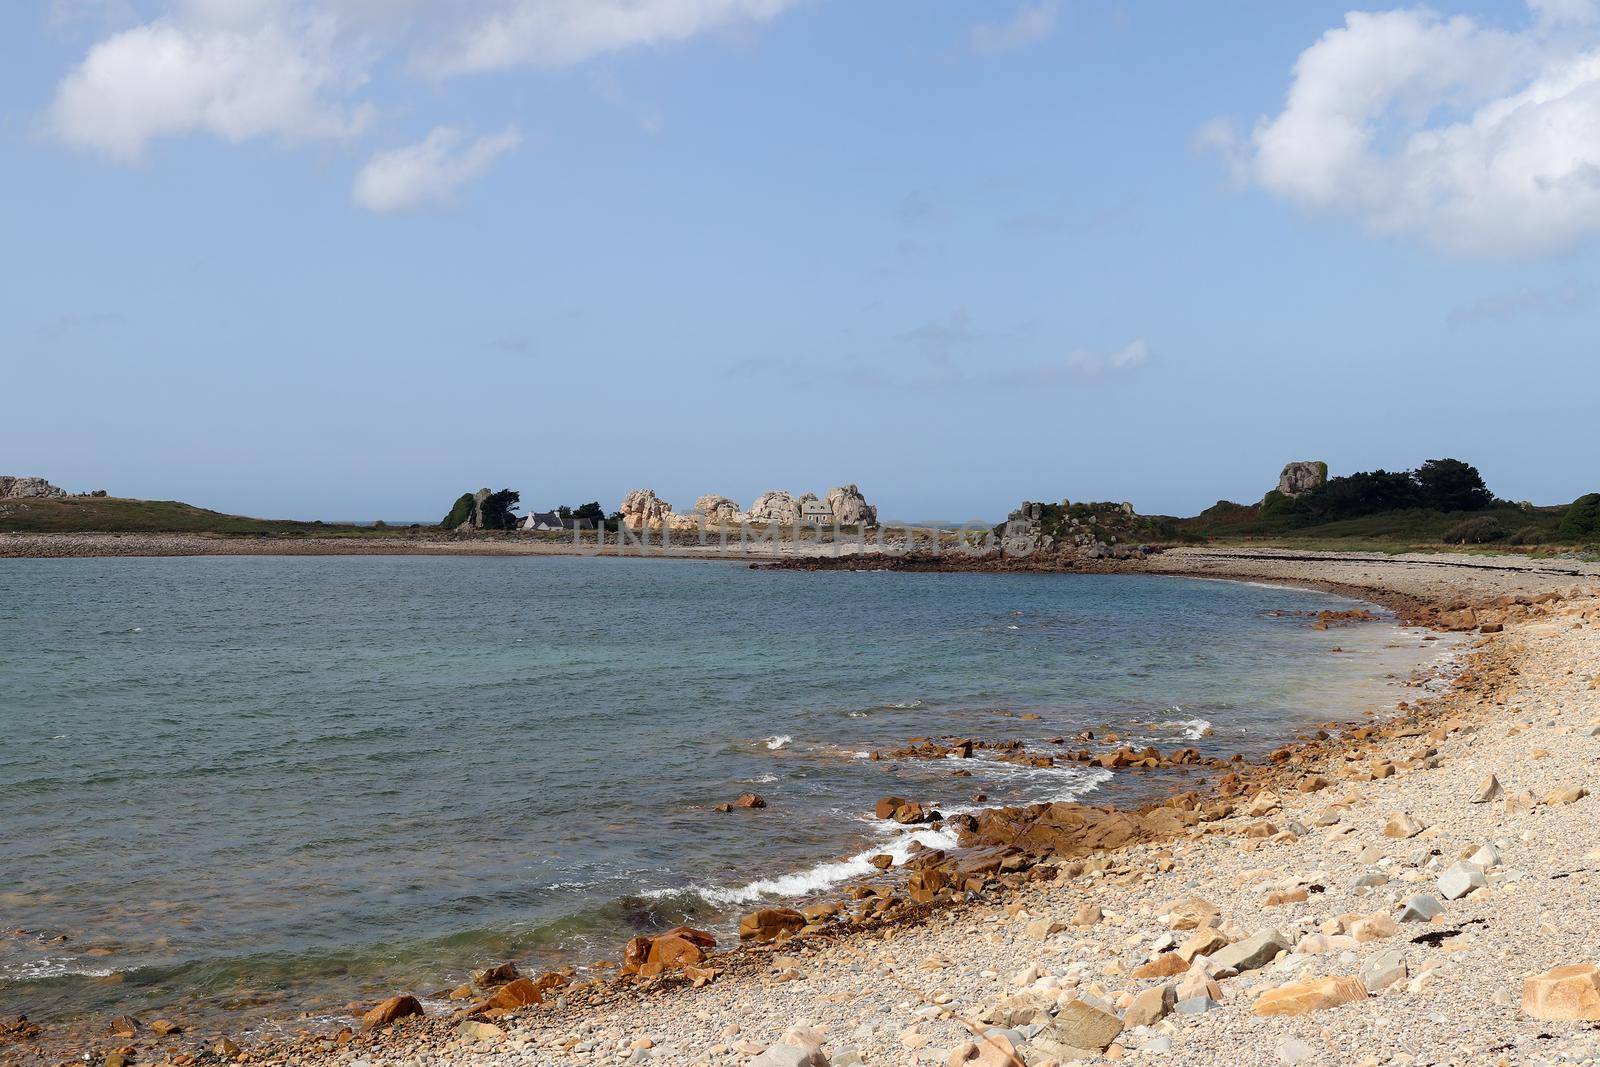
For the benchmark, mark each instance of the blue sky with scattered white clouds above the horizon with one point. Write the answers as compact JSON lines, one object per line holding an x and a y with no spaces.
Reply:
{"x":350,"y":258}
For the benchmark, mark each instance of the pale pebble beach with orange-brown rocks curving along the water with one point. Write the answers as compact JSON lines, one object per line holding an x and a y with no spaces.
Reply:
{"x":1410,"y":890}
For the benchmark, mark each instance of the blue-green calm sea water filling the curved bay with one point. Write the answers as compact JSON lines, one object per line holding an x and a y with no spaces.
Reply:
{"x":270,"y":785}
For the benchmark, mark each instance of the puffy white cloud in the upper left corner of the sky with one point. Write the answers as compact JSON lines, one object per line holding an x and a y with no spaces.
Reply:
{"x":254,"y":74}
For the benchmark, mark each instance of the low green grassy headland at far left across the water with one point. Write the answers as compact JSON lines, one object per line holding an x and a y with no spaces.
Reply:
{"x":110,"y":514}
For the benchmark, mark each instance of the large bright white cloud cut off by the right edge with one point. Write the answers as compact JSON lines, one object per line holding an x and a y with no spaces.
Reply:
{"x":1476,"y":138}
